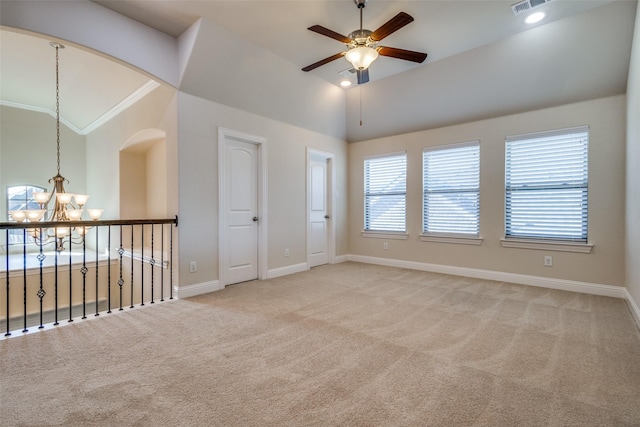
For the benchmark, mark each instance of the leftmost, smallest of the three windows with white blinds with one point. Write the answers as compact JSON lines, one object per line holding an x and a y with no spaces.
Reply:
{"x":385,"y":193}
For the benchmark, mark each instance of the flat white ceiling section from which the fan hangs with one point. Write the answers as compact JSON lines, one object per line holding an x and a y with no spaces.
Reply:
{"x":441,"y":28}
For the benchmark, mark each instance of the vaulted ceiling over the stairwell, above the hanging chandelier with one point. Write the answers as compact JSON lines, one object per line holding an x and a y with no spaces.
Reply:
{"x":92,"y":88}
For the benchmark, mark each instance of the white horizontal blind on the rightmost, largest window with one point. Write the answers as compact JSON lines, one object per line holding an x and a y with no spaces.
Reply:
{"x":547,"y":185}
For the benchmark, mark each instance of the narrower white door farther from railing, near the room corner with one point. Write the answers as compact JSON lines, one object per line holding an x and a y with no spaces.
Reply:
{"x":318,"y":232}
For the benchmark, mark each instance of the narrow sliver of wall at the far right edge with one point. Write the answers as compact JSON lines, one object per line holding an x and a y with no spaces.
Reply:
{"x":633,"y":171}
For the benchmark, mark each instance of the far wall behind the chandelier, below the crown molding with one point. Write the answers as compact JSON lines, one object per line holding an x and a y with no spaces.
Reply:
{"x":28,"y":153}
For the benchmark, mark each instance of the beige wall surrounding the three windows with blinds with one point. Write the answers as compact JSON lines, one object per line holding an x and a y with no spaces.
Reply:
{"x":605,"y":265}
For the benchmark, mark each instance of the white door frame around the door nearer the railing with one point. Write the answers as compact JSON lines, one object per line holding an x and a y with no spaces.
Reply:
{"x":224,"y":137}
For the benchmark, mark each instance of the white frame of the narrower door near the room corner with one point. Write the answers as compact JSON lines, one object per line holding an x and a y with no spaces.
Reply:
{"x":331,"y":209}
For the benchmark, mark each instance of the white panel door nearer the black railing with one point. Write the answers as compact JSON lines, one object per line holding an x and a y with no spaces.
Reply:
{"x":241,"y":212}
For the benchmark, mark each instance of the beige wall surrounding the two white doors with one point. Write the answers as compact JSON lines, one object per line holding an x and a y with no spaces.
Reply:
{"x":198,"y":124}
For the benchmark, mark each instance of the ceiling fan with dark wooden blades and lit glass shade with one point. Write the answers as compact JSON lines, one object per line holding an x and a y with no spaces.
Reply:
{"x":362,"y":44}
